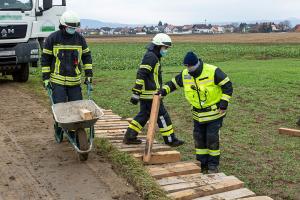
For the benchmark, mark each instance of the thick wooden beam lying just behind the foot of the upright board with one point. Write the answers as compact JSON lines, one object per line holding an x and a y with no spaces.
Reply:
{"x":161,"y":157}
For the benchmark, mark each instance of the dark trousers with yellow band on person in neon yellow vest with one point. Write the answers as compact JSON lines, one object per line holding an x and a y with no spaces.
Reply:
{"x":206,"y":137}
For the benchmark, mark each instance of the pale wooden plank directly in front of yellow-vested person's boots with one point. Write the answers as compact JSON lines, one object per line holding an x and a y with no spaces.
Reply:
{"x":197,"y":177}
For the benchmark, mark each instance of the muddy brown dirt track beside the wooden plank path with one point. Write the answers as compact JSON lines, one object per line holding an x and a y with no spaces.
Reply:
{"x":33,"y":166}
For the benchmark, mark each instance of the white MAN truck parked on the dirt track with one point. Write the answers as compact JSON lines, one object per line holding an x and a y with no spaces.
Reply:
{"x":23,"y":26}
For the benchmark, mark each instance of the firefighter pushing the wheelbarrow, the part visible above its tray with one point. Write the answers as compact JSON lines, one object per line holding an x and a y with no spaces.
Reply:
{"x":63,"y":53}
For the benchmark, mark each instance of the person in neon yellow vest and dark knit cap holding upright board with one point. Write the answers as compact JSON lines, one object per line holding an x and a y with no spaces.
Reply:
{"x":208,"y":90}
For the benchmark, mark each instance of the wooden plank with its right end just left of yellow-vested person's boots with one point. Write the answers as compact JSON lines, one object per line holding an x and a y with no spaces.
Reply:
{"x":179,"y":169}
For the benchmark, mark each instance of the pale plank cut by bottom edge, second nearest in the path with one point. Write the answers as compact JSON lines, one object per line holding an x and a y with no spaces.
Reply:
{"x":230,"y":195}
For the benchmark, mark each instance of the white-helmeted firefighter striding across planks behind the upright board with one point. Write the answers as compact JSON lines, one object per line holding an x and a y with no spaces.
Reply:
{"x":149,"y":82}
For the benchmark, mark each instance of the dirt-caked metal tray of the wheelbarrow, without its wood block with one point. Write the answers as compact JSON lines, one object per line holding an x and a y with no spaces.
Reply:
{"x":68,"y":117}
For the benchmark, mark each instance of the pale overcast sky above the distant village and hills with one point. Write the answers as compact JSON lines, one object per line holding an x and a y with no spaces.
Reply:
{"x":184,"y":11}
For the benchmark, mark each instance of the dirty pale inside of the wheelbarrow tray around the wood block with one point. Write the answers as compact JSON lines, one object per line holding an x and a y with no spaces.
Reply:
{"x":70,"y":112}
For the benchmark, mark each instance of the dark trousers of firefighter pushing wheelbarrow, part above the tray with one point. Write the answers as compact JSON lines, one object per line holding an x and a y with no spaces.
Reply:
{"x":61,"y":94}
